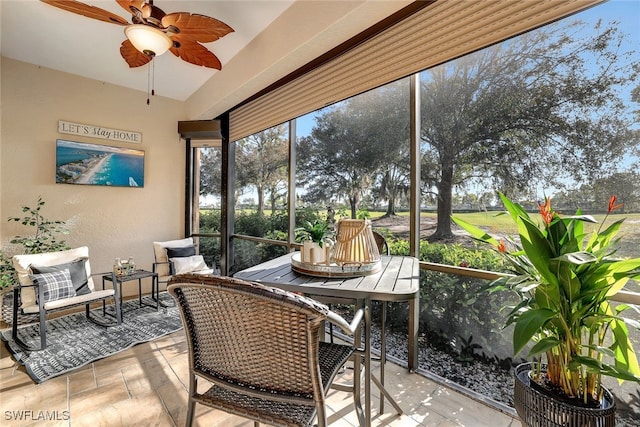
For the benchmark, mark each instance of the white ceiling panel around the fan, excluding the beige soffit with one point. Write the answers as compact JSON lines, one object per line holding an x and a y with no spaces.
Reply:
{"x":41,"y":34}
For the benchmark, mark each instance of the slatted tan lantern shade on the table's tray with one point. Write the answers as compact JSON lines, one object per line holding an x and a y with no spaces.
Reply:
{"x":355,"y":243}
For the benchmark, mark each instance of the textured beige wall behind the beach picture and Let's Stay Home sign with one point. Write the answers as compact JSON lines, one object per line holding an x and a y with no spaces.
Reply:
{"x":111,"y":221}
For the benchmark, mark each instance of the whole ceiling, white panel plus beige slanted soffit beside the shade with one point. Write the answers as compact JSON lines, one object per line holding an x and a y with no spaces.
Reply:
{"x":37,"y":33}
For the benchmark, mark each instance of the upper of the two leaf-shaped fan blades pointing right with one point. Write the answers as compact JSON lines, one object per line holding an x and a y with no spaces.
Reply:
{"x":200,"y":28}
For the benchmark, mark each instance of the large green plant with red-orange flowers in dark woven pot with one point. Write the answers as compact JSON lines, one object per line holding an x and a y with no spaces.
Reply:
{"x":565,"y":278}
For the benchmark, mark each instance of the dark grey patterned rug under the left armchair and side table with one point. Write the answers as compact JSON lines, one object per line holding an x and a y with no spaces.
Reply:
{"x":73,"y":341}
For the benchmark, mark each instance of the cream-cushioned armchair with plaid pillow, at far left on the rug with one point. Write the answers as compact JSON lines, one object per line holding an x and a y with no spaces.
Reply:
{"x":56,"y":281}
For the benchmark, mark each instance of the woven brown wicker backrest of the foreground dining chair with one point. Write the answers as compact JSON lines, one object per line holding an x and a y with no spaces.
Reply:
{"x":252,"y":338}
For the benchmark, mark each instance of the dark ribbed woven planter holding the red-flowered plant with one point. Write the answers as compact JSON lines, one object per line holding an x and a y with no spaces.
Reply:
{"x":537,"y":409}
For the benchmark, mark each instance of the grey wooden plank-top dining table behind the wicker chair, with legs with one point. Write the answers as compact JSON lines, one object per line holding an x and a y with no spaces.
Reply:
{"x":396,"y":280}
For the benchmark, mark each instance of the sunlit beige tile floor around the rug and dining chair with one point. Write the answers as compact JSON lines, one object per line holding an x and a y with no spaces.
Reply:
{"x":146,"y":386}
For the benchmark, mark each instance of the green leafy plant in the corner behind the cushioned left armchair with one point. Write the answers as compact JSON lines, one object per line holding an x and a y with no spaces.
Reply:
{"x":43,"y":239}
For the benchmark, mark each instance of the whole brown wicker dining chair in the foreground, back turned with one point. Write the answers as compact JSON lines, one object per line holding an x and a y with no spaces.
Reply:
{"x":260,"y":348}
